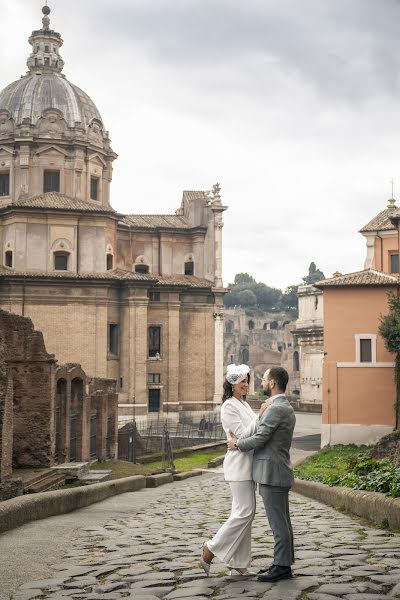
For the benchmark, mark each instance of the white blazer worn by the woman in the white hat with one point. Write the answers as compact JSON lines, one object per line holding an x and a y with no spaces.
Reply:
{"x":238,"y":417}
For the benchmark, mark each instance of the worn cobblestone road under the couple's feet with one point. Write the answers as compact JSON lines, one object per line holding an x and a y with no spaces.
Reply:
{"x":154,"y":554}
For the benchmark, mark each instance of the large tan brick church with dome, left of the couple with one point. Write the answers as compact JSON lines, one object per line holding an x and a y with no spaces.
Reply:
{"x":136,"y":298}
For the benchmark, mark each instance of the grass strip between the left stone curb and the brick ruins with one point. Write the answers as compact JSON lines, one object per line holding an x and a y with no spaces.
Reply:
{"x":122,"y":468}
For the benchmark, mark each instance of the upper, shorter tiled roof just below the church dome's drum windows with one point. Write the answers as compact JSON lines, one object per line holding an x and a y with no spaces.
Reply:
{"x":57,"y":201}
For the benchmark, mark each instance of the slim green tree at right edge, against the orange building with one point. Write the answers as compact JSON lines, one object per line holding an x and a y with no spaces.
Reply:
{"x":389,"y":328}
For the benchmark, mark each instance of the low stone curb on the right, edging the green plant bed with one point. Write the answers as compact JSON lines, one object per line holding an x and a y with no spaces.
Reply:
{"x":372,"y":506}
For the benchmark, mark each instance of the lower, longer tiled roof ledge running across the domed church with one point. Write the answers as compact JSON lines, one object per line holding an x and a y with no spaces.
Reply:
{"x":117,"y":274}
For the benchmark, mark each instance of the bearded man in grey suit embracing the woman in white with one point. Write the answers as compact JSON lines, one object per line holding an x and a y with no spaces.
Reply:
{"x":272,"y":469}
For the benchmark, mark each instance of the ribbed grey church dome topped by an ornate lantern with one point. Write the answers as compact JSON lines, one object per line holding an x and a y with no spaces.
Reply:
{"x":44,"y":87}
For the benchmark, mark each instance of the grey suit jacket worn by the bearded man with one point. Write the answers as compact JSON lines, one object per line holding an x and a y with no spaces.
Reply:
{"x":271,"y":444}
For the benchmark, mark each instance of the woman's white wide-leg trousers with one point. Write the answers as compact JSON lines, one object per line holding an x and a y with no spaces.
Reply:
{"x":232,"y":542}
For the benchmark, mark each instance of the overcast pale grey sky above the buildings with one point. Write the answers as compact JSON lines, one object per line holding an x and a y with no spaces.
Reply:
{"x":292,"y":105}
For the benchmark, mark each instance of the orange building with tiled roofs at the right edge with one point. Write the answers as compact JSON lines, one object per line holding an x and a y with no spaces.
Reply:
{"x":359,"y":391}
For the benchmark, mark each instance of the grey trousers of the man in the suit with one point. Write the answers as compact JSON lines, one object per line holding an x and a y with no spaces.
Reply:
{"x":276,"y":502}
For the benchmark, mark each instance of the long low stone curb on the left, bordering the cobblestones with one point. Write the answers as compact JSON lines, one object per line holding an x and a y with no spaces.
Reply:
{"x":23,"y":509}
